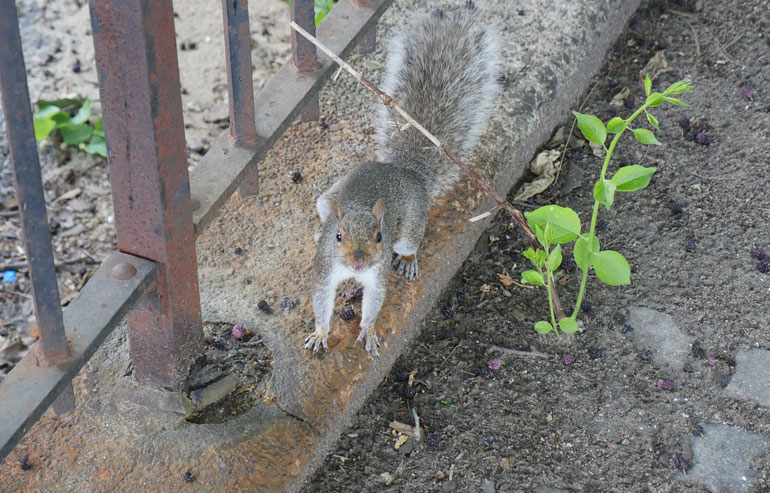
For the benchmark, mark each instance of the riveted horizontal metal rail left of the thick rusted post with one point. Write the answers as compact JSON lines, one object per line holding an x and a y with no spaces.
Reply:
{"x":29,"y":389}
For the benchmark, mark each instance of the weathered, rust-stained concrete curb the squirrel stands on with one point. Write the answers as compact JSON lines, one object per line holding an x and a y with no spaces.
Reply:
{"x":113,"y":443}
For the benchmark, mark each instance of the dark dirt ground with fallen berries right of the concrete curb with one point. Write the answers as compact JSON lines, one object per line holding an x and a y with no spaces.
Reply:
{"x":602,"y":423}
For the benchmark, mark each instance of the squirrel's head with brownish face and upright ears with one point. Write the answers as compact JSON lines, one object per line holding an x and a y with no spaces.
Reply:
{"x":358,"y":237}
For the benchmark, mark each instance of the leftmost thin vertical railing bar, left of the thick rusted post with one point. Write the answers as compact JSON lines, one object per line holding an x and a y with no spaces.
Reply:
{"x":52,"y":348}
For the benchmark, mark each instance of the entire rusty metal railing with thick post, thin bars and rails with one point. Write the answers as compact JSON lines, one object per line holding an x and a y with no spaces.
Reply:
{"x":159,"y":207}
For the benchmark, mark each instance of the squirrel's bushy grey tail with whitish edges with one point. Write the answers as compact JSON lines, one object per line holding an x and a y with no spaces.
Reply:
{"x":443,"y":70}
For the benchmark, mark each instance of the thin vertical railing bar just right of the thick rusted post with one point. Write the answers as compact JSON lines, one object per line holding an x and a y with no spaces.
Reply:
{"x":243,"y":128}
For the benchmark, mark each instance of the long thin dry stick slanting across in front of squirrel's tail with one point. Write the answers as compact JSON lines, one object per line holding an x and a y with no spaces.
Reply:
{"x":391,"y":103}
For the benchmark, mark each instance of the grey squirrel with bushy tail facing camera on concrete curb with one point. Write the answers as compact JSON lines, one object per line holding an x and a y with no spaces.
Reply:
{"x":444,"y":72}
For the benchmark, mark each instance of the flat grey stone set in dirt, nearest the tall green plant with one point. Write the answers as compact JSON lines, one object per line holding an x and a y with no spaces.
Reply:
{"x":657,"y":331}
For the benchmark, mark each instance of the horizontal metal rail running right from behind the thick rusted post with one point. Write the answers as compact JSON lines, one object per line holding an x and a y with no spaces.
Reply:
{"x":284,"y":96}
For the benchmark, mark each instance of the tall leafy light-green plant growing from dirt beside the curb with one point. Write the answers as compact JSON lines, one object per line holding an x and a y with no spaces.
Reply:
{"x":554,"y":225}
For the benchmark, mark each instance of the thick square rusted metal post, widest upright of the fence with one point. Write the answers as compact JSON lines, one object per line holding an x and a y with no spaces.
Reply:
{"x":142,"y":107}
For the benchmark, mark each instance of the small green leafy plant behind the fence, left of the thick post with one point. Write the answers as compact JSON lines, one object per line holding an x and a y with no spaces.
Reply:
{"x":70,"y":119}
